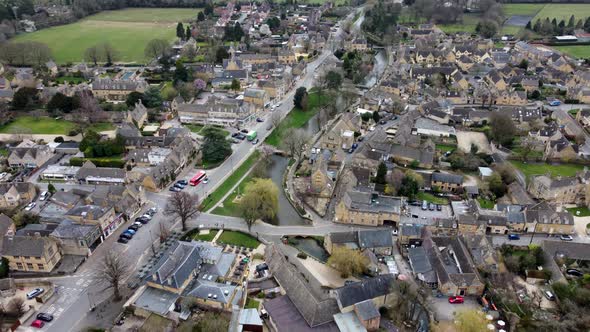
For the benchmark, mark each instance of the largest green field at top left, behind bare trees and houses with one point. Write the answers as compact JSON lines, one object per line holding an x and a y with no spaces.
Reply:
{"x":127,"y":30}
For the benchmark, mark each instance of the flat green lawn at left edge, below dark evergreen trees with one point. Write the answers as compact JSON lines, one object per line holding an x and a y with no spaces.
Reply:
{"x":38,"y":125}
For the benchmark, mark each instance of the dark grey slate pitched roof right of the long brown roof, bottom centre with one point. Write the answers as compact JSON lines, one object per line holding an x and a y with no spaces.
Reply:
{"x":366,"y":289}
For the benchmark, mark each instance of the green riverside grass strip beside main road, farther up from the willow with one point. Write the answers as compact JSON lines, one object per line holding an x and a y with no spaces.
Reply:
{"x":297,"y":118}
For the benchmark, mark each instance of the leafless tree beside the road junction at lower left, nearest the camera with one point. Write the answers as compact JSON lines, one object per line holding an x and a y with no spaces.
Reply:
{"x":113,"y":270}
